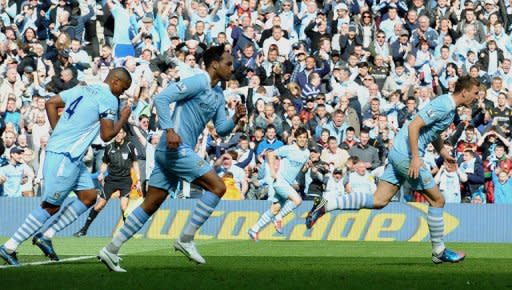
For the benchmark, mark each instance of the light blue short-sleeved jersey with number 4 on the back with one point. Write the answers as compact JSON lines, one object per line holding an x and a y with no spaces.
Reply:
{"x":79,"y":123}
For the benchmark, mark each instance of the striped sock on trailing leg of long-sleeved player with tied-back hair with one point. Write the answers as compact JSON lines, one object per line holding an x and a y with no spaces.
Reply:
{"x":131,"y":226}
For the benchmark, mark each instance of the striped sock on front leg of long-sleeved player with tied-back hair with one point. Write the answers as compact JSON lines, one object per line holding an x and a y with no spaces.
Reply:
{"x":204,"y":208}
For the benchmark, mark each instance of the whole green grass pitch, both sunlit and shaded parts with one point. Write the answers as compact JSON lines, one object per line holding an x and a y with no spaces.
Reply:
{"x":265,"y":265}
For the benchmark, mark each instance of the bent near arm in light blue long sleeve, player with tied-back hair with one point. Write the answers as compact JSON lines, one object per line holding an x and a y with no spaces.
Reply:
{"x":175,"y":92}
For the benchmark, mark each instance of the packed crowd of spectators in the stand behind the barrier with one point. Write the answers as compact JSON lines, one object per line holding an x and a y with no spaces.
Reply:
{"x":351,"y":72}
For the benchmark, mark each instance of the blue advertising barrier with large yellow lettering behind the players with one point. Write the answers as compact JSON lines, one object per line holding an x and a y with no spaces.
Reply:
{"x":232,"y":219}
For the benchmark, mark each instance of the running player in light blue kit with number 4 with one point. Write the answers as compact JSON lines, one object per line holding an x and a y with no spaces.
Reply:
{"x":87,"y":112}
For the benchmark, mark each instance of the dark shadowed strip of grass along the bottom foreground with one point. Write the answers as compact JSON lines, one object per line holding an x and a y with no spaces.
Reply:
{"x":173,"y":272}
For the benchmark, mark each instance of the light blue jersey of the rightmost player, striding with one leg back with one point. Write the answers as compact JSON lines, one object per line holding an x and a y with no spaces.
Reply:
{"x":438,"y":116}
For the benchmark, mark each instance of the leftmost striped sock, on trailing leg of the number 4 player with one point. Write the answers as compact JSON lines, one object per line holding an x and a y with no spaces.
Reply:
{"x":34,"y":221}
